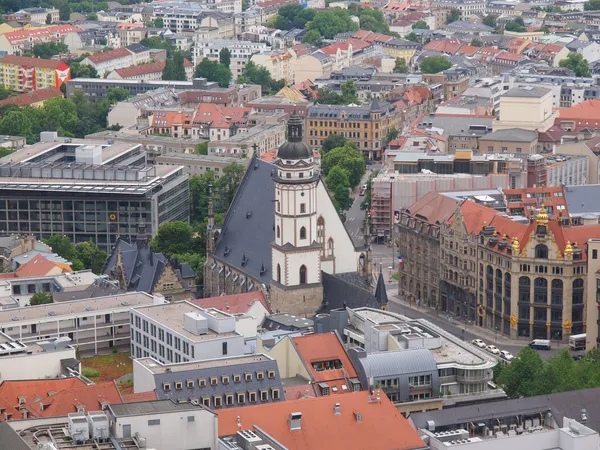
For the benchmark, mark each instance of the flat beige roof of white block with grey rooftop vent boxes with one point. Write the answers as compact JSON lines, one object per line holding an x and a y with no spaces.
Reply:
{"x":171,"y":315}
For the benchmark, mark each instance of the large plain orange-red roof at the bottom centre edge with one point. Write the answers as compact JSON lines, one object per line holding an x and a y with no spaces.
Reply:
{"x":381,"y":425}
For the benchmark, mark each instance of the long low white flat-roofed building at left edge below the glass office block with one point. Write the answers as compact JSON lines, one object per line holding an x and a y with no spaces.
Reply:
{"x":91,"y":324}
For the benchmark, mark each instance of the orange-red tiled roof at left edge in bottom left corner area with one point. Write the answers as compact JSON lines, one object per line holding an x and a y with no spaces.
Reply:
{"x":55,"y":398}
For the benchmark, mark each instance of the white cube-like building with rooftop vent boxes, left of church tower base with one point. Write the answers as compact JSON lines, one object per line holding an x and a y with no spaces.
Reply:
{"x":181,"y":332}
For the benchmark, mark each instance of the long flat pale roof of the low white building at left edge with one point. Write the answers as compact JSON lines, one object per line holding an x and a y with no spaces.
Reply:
{"x":54,"y":311}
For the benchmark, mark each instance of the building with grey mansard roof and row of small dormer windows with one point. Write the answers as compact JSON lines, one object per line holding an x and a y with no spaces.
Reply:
{"x":215,"y":383}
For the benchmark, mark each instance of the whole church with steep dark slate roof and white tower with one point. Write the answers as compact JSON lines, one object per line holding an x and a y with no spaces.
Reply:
{"x":283,"y":235}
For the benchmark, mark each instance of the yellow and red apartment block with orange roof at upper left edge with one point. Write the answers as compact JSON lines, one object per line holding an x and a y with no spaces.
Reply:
{"x":23,"y":74}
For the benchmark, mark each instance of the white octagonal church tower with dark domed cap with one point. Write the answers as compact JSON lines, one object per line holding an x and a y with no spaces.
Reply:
{"x":296,"y":286}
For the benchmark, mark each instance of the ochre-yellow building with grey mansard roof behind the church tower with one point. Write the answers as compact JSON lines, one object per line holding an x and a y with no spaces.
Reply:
{"x":366,"y":126}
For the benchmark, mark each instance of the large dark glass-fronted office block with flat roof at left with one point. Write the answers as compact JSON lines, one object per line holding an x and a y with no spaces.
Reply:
{"x":88,"y":190}
